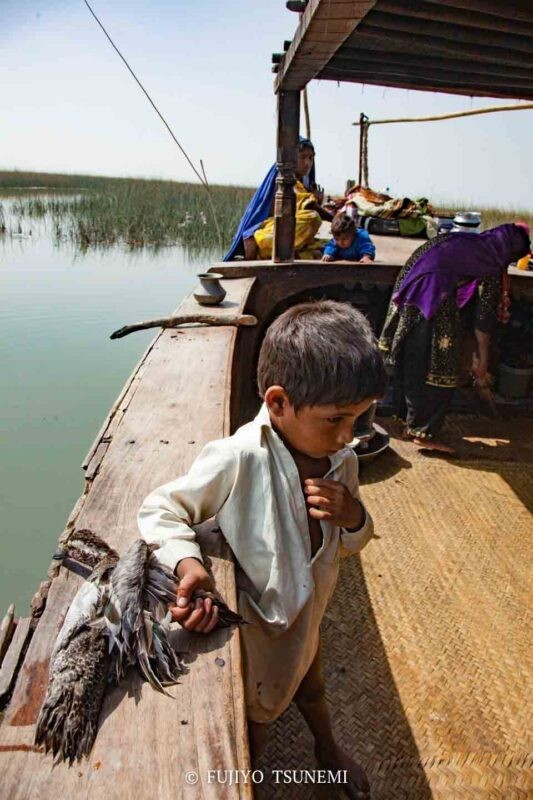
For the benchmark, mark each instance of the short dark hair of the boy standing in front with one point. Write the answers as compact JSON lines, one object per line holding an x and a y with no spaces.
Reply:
{"x":321,"y":352}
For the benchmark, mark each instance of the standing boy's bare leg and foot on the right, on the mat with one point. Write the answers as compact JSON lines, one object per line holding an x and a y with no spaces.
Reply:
{"x":311,"y":701}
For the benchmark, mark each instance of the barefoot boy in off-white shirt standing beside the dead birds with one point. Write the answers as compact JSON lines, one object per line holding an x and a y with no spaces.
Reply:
{"x":285,"y":491}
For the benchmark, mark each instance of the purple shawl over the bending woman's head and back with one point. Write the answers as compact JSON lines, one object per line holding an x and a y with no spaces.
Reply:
{"x":435,"y":275}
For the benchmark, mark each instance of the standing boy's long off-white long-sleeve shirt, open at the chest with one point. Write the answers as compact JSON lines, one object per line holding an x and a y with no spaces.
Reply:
{"x":250,"y":482}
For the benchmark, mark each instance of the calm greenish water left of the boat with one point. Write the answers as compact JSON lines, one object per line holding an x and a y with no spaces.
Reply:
{"x":59,"y":374}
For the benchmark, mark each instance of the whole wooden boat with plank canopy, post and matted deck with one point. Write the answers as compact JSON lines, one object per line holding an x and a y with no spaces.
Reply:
{"x":422,"y":665}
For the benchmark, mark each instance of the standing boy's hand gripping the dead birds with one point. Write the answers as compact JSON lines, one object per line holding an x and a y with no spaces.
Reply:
{"x":200,"y":615}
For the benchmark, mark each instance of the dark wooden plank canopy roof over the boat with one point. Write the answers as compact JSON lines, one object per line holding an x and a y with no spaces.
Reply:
{"x":470,"y":47}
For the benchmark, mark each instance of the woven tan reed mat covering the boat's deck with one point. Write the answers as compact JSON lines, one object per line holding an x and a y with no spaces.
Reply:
{"x":426,"y":653}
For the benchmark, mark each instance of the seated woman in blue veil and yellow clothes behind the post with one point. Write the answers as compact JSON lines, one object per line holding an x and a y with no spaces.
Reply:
{"x":255,"y":234}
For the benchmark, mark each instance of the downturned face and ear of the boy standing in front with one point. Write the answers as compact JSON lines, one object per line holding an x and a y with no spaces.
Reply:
{"x":315,"y":431}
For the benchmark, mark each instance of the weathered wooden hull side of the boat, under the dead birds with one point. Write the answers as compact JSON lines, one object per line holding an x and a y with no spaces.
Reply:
{"x":193,"y":385}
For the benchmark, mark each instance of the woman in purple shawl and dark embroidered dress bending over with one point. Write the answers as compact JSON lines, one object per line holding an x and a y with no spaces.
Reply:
{"x":451,"y":281}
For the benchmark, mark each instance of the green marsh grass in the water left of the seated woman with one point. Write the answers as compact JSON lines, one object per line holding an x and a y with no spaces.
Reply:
{"x":93,"y":211}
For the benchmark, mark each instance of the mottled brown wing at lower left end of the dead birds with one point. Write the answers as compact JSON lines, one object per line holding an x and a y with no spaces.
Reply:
{"x":68,"y":719}
